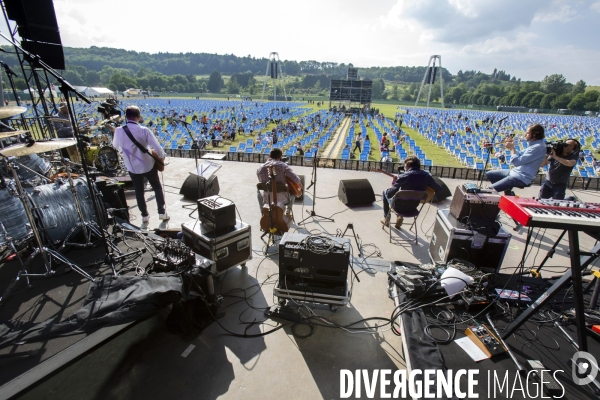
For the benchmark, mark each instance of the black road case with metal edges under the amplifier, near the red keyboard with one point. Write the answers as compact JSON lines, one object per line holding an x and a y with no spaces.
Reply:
{"x":451,"y":239}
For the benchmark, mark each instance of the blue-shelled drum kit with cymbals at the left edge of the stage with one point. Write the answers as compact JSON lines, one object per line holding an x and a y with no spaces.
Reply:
{"x":44,"y":211}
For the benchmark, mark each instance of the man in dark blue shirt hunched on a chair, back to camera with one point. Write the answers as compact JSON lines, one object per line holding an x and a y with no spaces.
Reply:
{"x":413,"y":178}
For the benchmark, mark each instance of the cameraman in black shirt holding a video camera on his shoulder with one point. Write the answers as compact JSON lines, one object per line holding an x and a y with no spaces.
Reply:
{"x":559,"y":170}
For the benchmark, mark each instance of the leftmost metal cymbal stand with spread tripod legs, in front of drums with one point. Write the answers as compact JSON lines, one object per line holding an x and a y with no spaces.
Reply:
{"x":48,"y":255}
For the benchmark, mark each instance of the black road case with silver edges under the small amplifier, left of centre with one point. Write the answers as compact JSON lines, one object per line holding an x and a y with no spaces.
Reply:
{"x":227,"y":251}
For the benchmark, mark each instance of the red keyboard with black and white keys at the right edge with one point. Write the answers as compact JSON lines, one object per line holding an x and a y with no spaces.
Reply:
{"x":554,"y":214}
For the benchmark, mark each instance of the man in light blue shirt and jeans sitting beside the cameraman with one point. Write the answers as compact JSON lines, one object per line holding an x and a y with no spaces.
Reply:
{"x":527,"y":162}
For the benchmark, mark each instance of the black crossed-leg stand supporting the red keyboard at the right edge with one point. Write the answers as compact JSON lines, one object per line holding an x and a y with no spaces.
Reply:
{"x":579,"y":261}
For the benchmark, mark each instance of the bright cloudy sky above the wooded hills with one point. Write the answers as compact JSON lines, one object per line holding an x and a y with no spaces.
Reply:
{"x":527,"y":38}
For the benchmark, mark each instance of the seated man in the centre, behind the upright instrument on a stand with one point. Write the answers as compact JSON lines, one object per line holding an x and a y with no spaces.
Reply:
{"x":282,"y":171}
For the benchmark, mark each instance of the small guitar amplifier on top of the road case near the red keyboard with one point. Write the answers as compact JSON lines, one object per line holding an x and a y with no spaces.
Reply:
{"x":480,"y":206}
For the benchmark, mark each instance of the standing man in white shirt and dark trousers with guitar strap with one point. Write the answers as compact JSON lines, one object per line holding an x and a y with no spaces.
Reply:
{"x":141,"y":164}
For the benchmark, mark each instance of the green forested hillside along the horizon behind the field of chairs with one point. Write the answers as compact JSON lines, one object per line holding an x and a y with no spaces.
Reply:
{"x":120,"y":69}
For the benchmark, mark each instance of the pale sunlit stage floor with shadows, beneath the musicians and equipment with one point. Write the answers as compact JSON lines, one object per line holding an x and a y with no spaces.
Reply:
{"x":145,"y":360}
